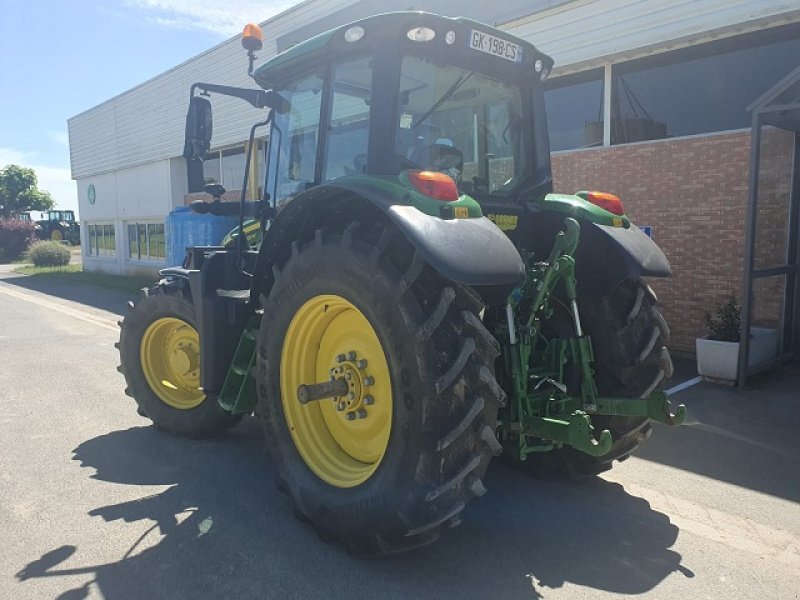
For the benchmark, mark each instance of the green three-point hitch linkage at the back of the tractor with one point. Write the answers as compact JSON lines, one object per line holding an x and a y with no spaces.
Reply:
{"x":543,"y":413}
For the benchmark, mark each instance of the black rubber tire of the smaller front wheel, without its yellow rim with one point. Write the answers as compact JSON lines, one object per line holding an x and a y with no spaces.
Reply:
{"x":166,"y":299}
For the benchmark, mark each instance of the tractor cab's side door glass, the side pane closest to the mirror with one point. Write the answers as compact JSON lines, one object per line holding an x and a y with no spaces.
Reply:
{"x":294,"y":151}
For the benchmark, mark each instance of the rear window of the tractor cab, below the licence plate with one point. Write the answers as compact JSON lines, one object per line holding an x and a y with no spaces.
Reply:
{"x":457,"y":121}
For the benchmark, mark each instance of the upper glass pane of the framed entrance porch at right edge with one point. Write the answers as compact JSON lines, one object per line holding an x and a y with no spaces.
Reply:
{"x":774,"y":189}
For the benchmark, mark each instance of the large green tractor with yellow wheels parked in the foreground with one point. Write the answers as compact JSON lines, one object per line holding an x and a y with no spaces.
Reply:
{"x":420,"y":300}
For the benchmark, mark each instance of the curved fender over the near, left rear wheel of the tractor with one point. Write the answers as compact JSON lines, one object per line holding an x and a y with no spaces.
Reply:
{"x":470,"y":251}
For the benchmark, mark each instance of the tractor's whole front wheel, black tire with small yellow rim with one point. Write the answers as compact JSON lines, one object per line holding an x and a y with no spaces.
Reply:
{"x":161,"y":323}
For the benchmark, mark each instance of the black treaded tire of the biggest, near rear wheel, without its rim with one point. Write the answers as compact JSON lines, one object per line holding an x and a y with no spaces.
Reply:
{"x":445,"y":396}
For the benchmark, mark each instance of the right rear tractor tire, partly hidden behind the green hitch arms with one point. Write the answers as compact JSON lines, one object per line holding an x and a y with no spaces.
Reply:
{"x":629,"y":338}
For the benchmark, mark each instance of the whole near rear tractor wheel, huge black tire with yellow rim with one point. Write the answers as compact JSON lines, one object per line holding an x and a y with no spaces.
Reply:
{"x":393,"y":477}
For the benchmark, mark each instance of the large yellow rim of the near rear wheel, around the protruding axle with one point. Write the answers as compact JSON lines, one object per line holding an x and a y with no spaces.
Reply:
{"x":342,"y":439}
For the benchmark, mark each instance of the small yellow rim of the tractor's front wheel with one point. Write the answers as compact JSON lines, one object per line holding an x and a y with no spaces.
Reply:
{"x":170,"y":359}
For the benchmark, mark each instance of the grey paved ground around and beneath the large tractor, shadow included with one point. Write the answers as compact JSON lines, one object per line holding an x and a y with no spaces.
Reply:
{"x":95,"y":503}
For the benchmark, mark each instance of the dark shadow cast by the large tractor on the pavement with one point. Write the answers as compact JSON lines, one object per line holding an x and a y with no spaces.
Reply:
{"x":221,"y":530}
